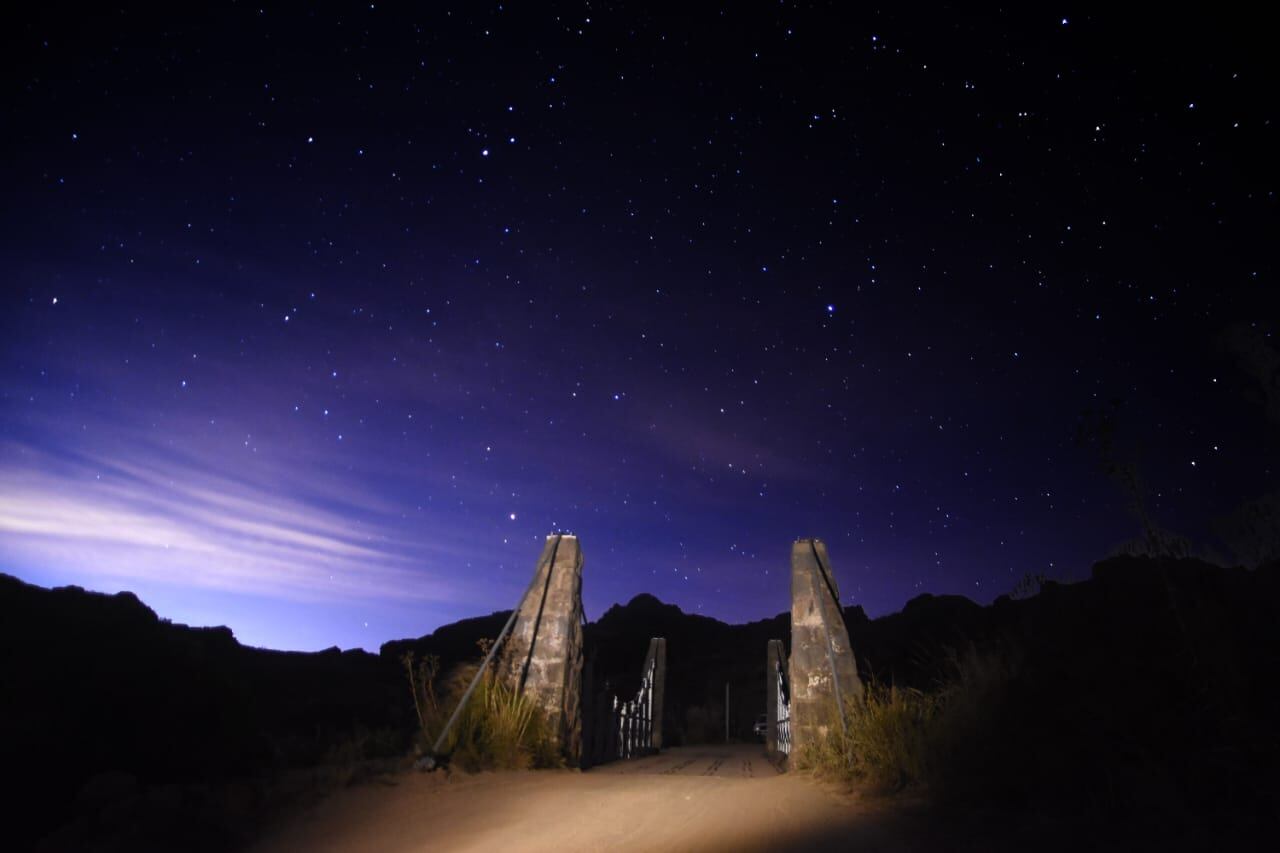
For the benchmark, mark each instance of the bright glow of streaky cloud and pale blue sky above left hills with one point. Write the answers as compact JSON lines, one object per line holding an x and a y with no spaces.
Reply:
{"x":212,"y":549}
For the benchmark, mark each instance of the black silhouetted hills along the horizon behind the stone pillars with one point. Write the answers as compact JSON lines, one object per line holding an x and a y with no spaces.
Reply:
{"x":1154,"y":679}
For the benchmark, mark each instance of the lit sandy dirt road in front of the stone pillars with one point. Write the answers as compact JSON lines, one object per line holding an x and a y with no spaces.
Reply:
{"x":694,"y":799}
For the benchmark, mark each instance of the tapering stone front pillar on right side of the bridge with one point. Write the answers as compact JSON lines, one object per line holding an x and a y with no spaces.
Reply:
{"x":824,"y":670}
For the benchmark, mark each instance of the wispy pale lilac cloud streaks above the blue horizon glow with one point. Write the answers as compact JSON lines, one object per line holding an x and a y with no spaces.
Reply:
{"x":156,"y":519}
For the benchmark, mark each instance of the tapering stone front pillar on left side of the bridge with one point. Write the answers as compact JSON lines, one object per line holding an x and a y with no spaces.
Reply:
{"x":543,"y":656}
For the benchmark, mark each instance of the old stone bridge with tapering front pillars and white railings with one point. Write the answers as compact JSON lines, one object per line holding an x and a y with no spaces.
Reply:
{"x":542,"y":654}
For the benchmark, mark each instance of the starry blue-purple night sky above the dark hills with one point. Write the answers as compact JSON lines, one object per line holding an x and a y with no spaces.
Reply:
{"x":316,"y":323}
